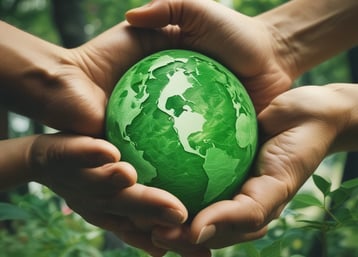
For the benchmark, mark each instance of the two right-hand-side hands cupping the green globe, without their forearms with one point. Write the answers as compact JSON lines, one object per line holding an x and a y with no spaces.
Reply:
{"x":300,"y":126}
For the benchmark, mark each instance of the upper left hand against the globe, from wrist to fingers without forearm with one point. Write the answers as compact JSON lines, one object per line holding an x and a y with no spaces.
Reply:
{"x":96,"y":68}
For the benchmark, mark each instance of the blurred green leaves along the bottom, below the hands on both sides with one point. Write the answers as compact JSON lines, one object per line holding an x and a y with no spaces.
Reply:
{"x":43,"y":227}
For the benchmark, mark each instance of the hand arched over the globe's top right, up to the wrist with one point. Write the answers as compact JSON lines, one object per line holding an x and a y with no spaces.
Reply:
{"x":253,"y":50}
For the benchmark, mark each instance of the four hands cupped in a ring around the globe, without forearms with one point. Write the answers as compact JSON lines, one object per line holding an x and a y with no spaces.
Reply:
{"x":299,"y":128}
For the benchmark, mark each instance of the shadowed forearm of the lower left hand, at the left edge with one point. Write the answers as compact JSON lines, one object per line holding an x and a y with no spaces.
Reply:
{"x":14,"y":167}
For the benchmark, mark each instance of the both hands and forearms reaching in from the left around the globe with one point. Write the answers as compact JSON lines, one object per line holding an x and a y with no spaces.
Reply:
{"x":68,"y":89}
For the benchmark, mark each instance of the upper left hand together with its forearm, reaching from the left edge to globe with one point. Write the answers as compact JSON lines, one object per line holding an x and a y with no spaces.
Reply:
{"x":68,"y":89}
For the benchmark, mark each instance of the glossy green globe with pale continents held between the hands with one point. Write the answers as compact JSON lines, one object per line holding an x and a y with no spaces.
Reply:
{"x":186,"y":124}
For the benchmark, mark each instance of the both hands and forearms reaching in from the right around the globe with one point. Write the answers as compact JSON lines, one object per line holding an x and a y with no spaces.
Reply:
{"x":267,"y":52}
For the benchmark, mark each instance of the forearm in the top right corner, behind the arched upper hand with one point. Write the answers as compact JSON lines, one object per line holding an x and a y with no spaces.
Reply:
{"x":313,"y":31}
